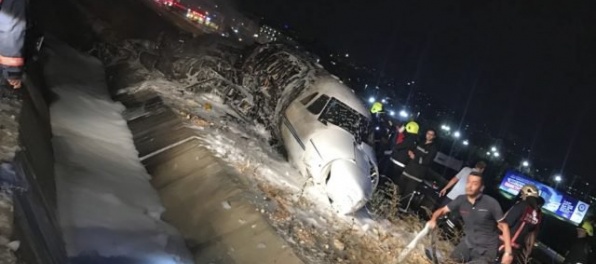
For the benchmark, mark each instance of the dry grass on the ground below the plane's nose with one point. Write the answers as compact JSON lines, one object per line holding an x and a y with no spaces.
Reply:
{"x":349,"y":244}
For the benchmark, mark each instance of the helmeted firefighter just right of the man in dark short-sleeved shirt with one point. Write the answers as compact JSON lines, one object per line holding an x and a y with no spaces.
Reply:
{"x":524,"y":220}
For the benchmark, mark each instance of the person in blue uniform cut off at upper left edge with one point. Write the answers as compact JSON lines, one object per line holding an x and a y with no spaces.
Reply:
{"x":12,"y":39}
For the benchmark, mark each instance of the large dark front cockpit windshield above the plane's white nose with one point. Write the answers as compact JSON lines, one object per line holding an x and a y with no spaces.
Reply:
{"x":343,"y":116}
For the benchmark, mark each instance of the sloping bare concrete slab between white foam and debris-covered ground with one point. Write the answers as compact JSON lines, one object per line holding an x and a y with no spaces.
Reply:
{"x":205,"y":199}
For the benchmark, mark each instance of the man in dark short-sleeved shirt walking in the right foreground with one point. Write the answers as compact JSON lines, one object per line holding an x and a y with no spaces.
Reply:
{"x":483,"y":218}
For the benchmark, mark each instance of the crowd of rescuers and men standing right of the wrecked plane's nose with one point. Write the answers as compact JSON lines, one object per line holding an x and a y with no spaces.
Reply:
{"x":490,"y":234}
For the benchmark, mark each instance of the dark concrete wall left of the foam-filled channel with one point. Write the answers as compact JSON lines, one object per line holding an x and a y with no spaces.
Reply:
{"x":35,"y":207}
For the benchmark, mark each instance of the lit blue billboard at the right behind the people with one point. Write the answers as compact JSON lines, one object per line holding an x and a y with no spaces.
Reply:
{"x":555,"y":201}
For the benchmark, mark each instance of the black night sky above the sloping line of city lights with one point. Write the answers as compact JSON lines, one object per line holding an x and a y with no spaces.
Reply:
{"x":527,"y":67}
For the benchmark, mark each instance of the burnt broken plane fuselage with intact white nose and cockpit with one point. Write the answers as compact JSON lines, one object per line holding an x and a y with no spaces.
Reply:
{"x":324,"y":127}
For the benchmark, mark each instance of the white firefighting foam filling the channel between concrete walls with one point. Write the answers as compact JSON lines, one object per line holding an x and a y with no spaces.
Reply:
{"x":106,"y":205}
